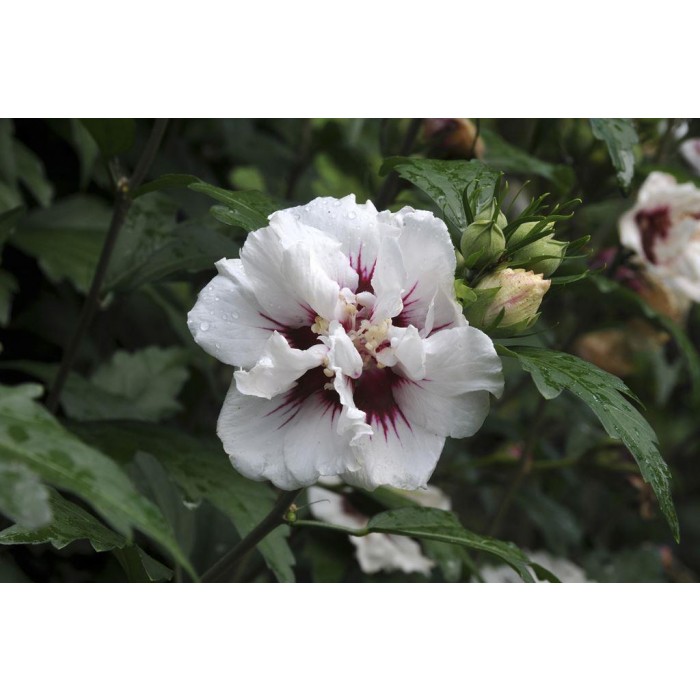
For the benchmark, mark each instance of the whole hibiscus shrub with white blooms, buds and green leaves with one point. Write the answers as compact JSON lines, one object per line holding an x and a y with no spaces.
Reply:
{"x":349,"y":350}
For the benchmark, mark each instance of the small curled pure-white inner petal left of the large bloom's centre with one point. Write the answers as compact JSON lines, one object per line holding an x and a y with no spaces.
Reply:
{"x":278,"y":368}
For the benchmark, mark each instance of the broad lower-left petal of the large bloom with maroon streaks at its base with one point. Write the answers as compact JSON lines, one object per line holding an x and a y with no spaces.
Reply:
{"x":291,"y":440}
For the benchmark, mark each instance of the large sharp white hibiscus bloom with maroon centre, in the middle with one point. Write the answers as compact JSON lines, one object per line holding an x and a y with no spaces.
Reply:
{"x":355,"y":359}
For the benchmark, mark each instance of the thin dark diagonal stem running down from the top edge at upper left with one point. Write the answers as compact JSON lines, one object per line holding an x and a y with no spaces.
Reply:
{"x":122,"y":203}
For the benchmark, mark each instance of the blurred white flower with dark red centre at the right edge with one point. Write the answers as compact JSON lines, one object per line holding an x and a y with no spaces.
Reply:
{"x":663,"y":229}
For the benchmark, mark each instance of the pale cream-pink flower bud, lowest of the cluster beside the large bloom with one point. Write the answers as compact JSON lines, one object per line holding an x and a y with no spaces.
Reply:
{"x":518,"y":297}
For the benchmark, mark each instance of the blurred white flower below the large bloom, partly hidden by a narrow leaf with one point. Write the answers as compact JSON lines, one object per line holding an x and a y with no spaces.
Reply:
{"x":377,"y":552}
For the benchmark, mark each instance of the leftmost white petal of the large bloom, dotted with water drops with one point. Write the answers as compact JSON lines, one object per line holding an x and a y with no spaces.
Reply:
{"x":227,"y":319}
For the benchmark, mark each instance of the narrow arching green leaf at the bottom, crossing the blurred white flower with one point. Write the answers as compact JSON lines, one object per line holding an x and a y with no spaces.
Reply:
{"x":443,"y":526}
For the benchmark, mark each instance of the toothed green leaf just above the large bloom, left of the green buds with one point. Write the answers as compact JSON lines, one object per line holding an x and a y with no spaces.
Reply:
{"x":445,"y":182}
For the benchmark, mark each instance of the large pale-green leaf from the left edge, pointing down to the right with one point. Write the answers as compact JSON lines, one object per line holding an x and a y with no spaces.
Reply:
{"x":31,"y":435}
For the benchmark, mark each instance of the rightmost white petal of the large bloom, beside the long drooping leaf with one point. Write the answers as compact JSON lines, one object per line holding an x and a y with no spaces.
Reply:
{"x":460,"y":360}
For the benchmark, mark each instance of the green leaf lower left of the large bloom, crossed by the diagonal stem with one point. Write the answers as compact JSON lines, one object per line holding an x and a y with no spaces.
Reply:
{"x":203,"y":472}
